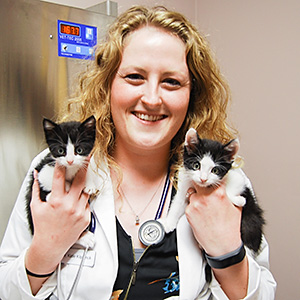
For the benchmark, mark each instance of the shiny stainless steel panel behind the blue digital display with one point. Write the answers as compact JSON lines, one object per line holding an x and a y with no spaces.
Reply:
{"x":34,"y":83}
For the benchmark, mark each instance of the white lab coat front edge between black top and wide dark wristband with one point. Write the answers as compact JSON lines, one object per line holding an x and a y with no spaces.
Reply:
{"x":191,"y":270}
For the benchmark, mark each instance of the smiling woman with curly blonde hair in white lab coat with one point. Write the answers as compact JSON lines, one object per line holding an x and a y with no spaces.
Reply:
{"x":152,"y":79}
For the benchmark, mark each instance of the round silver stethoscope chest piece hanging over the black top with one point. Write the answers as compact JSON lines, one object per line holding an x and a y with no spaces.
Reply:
{"x":151,"y":233}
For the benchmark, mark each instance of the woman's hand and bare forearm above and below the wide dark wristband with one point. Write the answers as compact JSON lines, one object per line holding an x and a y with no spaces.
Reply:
{"x":216,"y":224}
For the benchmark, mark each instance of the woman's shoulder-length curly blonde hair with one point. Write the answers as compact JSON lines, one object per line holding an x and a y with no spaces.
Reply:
{"x":209,"y":95}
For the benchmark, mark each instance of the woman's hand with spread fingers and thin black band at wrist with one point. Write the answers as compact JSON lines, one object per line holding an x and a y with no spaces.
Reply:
{"x":58,"y":223}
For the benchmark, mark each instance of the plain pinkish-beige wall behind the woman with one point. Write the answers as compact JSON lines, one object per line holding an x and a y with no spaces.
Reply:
{"x":257,"y":44}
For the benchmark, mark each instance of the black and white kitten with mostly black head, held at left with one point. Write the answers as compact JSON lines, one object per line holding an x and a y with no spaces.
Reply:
{"x":69,"y":143}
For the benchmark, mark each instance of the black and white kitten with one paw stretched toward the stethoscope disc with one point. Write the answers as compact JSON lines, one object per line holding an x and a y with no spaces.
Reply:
{"x":207,"y":163}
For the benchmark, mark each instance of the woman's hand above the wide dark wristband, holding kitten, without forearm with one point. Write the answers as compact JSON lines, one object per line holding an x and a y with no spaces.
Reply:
{"x":215,"y":221}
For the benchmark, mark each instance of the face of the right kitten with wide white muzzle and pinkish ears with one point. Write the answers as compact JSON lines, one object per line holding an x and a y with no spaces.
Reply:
{"x":206,"y":161}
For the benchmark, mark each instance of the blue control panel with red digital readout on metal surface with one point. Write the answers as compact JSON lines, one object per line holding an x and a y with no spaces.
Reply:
{"x":76,"y":40}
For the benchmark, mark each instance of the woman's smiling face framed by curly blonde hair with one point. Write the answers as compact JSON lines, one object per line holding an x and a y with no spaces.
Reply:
{"x":150,"y":92}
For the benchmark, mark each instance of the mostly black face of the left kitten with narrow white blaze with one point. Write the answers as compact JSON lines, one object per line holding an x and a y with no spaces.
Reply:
{"x":71,"y":142}
